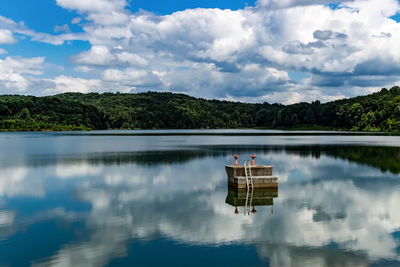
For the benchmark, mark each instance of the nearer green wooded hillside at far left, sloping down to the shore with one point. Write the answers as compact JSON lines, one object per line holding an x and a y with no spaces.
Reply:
{"x":28,"y":113}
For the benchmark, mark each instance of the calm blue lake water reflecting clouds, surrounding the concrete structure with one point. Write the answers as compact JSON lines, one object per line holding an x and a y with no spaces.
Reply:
{"x":95,"y":200}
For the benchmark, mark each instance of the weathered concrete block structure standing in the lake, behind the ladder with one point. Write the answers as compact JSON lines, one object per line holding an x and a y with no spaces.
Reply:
{"x":262,"y":176}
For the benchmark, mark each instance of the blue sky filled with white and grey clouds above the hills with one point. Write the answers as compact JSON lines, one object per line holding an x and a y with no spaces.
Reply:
{"x":283,"y":51}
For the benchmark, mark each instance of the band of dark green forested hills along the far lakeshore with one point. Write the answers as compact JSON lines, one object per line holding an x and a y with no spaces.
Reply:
{"x":152,"y":110}
